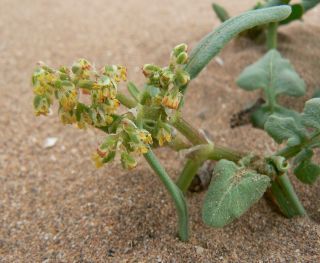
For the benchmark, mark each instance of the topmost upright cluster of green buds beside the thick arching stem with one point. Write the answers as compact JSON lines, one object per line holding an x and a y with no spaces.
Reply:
{"x":169,"y":79}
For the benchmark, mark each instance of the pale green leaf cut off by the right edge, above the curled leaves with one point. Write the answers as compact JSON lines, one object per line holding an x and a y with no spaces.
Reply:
{"x":311,"y":114}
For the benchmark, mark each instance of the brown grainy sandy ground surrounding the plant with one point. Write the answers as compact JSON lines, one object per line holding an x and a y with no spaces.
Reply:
{"x":56,"y":207}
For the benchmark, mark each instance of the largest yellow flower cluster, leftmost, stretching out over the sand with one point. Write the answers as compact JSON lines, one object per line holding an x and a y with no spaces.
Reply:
{"x":65,"y":85}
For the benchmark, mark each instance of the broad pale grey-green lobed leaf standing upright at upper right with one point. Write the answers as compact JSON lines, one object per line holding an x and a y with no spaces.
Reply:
{"x":274,"y":74}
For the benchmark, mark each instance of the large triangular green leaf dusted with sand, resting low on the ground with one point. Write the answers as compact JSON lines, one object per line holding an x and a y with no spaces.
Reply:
{"x":231,"y":193}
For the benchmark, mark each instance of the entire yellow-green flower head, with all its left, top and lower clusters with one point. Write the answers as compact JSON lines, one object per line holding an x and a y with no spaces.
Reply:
{"x":160,"y":96}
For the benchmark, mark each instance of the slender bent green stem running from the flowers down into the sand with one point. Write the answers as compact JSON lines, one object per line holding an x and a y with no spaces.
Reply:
{"x":175,"y":193}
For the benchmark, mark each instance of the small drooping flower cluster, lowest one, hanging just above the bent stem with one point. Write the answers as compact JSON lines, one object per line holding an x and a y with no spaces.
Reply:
{"x":127,"y":140}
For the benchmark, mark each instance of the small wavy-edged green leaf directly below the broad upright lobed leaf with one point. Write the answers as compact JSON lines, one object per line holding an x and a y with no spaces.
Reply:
{"x":285,"y":128}
